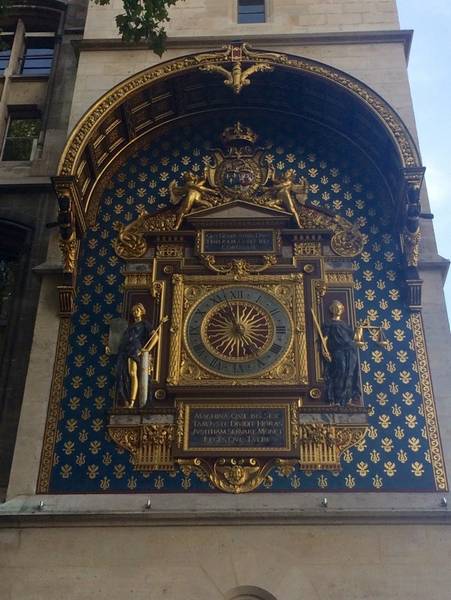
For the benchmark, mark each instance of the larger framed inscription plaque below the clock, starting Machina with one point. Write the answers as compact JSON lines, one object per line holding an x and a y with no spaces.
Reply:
{"x":237,"y":428}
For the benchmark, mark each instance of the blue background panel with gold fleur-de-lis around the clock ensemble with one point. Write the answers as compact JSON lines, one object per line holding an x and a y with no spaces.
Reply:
{"x":396,"y":454}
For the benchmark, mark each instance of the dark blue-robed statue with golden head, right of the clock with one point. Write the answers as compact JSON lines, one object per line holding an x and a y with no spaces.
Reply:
{"x":341,"y":365}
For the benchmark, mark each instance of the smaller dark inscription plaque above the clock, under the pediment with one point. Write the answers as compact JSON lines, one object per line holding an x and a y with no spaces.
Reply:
{"x":241,"y":242}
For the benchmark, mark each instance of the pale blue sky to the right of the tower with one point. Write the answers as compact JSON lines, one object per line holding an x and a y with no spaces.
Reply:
{"x":429,"y":71}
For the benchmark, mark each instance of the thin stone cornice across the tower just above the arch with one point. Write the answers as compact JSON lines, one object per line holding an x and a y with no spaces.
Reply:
{"x":402,"y":36}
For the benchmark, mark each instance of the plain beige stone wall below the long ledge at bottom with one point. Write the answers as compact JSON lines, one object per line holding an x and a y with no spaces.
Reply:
{"x":291,"y":562}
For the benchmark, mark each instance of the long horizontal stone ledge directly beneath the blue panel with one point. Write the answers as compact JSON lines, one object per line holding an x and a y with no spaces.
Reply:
{"x":204,"y":509}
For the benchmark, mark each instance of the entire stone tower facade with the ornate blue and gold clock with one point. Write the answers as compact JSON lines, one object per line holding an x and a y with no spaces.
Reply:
{"x":239,"y":363}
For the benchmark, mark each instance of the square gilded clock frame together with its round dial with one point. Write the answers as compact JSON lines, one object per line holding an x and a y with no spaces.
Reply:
{"x":240,"y":332}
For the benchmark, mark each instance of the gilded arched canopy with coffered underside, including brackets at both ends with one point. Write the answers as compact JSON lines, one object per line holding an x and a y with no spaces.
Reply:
{"x":177,"y":91}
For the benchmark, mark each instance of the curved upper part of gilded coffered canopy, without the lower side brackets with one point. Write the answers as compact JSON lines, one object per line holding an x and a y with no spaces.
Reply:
{"x":183,"y":87}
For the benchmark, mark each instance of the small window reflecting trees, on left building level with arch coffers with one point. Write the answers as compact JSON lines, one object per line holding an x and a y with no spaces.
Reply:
{"x":21,"y":137}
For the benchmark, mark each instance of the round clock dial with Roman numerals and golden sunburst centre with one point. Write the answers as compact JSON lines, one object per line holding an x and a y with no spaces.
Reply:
{"x":238,"y":331}
